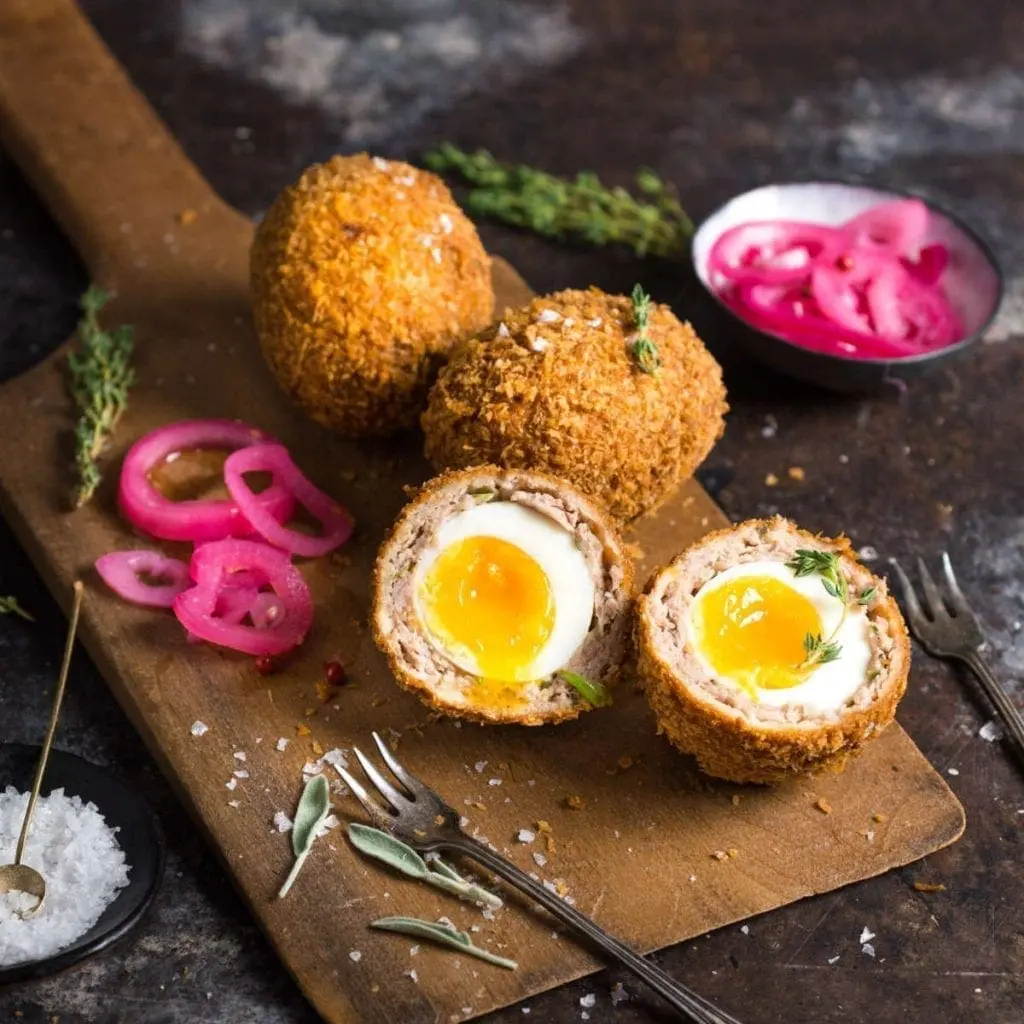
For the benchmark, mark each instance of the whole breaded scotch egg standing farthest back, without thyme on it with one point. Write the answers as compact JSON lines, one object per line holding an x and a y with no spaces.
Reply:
{"x":363,"y":275}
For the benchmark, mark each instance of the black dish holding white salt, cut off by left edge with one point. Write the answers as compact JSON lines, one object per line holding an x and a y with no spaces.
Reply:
{"x":141,"y":837}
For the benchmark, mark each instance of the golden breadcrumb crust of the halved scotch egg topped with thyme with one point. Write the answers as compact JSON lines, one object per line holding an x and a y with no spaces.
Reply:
{"x":730,"y":746}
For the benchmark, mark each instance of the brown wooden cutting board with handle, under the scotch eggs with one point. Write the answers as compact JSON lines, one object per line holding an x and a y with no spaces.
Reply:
{"x":639,"y":857}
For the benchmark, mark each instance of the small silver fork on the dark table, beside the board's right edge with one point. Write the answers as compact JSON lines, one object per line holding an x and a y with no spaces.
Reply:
{"x":950,"y":629}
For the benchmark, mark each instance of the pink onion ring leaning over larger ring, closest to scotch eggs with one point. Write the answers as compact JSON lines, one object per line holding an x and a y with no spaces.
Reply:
{"x":336,"y":522}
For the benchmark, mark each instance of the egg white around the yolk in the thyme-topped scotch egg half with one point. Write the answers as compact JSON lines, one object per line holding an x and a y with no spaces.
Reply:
{"x":829,"y":687}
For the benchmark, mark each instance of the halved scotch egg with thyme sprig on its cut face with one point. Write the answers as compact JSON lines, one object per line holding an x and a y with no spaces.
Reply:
{"x":769,"y":653}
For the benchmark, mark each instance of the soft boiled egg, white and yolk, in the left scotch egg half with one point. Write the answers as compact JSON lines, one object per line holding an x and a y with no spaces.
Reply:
{"x":505,"y":593}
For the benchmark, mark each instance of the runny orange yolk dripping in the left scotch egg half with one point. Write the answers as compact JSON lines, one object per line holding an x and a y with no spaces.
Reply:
{"x":489,"y":598}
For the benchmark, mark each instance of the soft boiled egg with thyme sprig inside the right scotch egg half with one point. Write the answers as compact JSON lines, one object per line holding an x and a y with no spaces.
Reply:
{"x":749,"y":626}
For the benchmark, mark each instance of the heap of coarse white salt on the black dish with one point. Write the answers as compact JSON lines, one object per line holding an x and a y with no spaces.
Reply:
{"x":77,"y":854}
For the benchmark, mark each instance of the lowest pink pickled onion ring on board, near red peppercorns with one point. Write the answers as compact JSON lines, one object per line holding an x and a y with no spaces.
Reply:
{"x":286,"y":629}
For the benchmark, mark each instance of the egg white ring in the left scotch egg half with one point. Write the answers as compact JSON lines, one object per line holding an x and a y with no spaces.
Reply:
{"x":553,"y":548}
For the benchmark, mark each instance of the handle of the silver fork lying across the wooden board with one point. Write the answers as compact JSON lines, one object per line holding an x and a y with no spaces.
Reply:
{"x":697,"y":1008}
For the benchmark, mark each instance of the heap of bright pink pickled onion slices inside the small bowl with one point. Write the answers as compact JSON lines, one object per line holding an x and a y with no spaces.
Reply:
{"x":866,"y":289}
